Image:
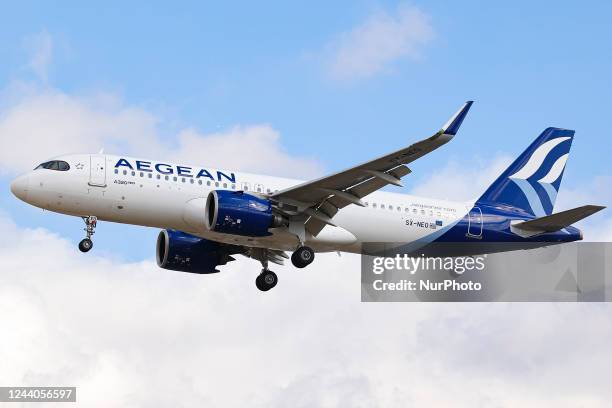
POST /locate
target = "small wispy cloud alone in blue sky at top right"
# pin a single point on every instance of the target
(382, 39)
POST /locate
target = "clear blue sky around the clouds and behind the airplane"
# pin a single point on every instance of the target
(210, 66)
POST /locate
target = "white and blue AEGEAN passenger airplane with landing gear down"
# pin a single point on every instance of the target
(208, 215)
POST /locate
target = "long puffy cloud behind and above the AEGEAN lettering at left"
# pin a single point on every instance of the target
(38, 124)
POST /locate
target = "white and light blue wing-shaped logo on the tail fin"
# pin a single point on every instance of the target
(525, 180)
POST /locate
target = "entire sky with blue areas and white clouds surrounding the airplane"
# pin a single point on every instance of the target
(296, 90)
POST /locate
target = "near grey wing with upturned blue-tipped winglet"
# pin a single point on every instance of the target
(319, 200)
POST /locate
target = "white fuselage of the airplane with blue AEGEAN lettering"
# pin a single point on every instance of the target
(175, 197)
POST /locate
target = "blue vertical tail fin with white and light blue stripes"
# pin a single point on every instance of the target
(532, 181)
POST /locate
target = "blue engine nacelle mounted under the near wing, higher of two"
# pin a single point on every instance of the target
(238, 213)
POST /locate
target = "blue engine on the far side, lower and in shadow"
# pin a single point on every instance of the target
(179, 251)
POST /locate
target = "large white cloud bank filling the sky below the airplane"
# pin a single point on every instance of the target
(131, 334)
